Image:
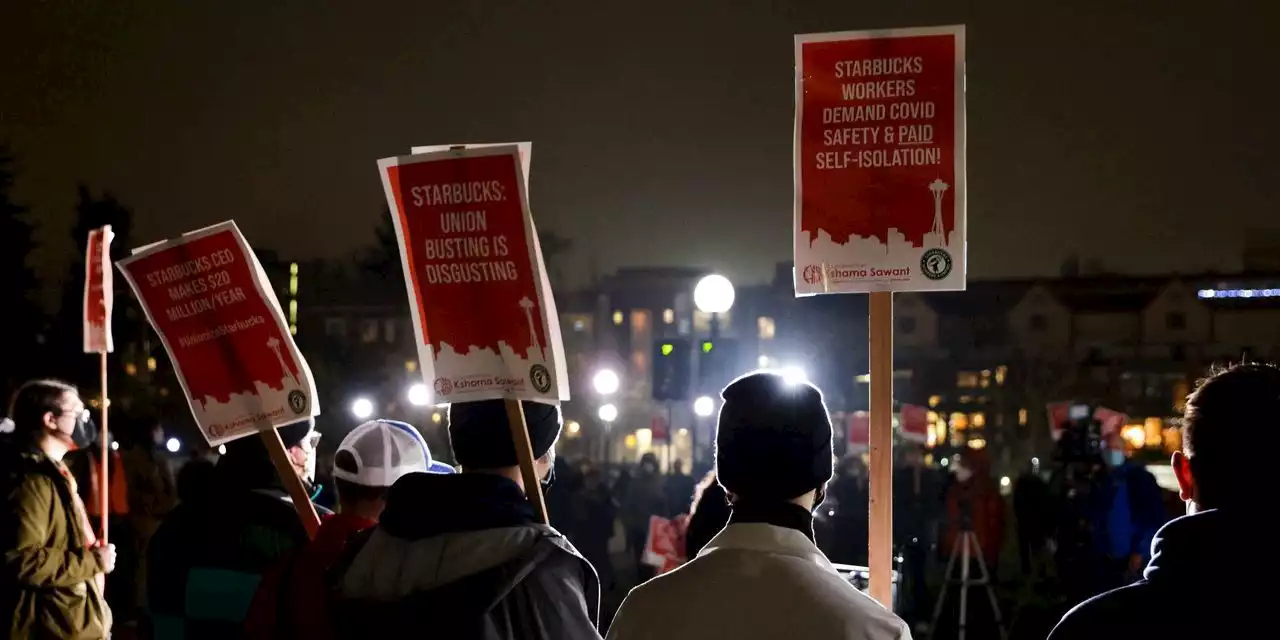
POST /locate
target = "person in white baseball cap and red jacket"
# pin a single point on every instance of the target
(369, 461)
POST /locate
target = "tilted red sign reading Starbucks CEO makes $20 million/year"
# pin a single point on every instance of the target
(208, 298)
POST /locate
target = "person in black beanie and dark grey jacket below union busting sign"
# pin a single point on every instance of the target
(465, 554)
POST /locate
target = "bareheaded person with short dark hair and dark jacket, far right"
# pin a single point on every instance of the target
(1199, 580)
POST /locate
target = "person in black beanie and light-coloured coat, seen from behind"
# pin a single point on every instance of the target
(764, 577)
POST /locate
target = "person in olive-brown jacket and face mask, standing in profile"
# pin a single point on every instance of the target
(54, 568)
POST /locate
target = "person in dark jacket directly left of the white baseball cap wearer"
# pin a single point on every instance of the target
(209, 556)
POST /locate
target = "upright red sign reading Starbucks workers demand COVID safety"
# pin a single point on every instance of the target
(880, 162)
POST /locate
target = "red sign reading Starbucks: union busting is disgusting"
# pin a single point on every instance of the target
(482, 304)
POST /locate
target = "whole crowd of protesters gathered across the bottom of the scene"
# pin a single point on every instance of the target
(418, 547)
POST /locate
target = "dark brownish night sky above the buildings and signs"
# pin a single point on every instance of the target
(662, 131)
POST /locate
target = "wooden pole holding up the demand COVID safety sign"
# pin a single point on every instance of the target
(880, 552)
